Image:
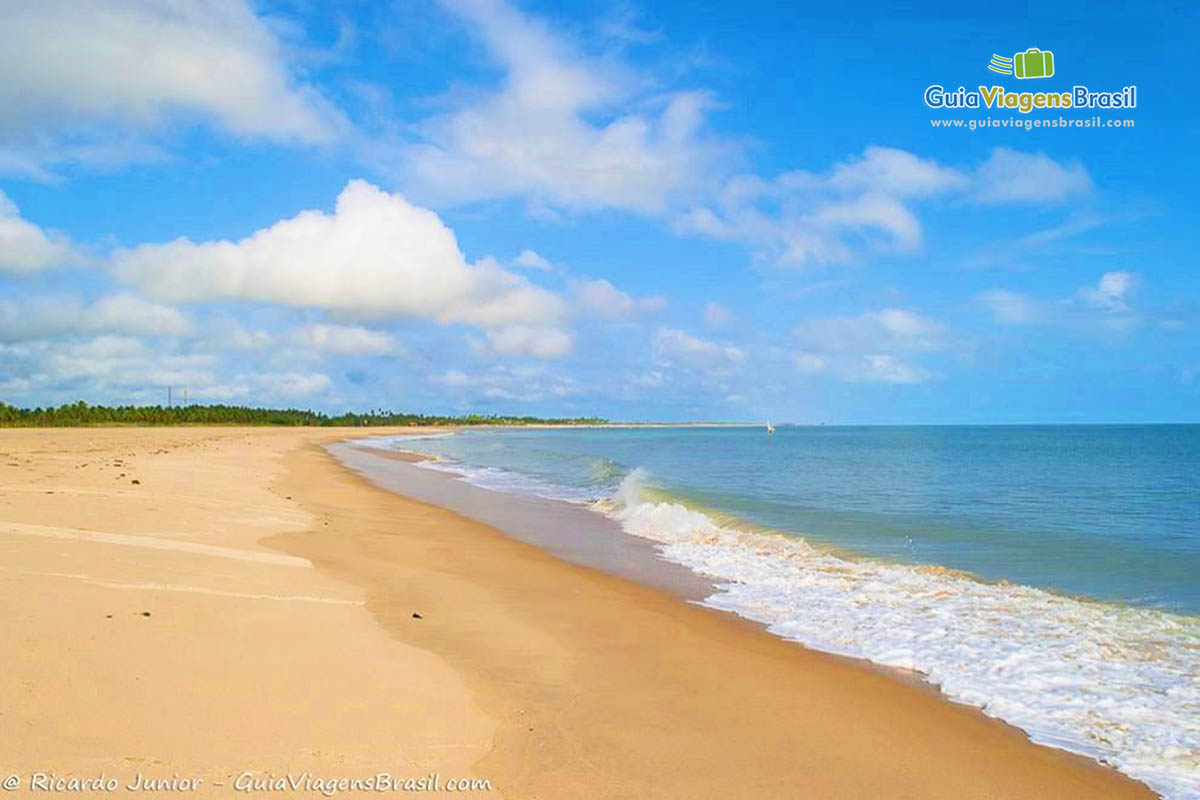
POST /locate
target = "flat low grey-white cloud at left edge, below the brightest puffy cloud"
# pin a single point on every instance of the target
(49, 317)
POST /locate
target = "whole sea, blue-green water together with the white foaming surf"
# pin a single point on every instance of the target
(1049, 575)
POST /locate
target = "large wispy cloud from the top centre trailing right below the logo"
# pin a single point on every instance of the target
(567, 130)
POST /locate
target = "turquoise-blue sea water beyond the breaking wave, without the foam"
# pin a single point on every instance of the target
(1106, 512)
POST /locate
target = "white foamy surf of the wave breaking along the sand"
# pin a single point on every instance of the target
(1114, 683)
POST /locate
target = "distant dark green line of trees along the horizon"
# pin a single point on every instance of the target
(82, 414)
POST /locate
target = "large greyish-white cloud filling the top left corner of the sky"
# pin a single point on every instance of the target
(81, 73)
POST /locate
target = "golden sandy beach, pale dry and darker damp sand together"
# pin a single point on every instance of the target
(213, 603)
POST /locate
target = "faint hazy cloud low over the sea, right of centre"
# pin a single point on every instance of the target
(874, 347)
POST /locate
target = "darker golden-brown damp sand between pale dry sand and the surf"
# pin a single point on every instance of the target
(604, 688)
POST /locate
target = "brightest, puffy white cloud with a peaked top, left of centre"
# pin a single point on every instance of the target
(376, 255)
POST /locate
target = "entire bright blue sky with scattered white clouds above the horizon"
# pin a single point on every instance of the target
(641, 212)
